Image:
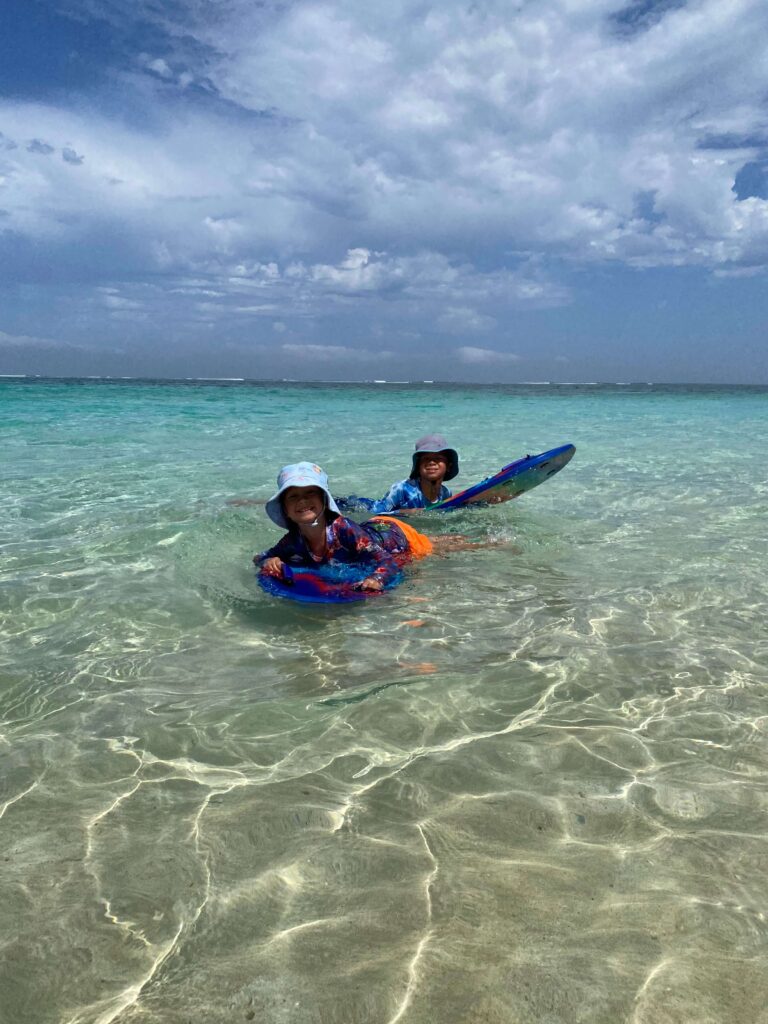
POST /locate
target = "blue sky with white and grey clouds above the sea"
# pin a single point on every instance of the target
(498, 190)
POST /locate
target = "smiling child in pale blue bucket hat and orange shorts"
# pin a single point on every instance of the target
(318, 533)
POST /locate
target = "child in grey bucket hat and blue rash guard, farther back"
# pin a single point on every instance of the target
(432, 463)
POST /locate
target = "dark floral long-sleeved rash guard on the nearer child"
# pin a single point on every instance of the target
(383, 546)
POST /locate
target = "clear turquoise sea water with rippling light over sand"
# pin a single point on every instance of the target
(530, 786)
